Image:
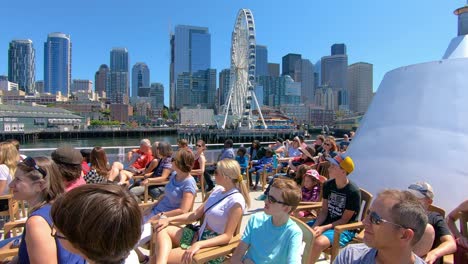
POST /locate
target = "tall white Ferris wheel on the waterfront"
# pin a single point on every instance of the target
(242, 75)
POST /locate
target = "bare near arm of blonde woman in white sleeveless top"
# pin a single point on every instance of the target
(233, 219)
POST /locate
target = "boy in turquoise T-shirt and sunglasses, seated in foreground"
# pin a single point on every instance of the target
(271, 236)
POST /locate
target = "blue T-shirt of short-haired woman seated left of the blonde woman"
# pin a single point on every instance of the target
(173, 193)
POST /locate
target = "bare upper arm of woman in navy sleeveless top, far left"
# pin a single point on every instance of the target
(40, 244)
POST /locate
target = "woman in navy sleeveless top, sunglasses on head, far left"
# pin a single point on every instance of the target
(38, 181)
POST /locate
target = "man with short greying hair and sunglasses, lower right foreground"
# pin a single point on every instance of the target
(396, 221)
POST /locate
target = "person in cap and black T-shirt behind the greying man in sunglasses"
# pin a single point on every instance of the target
(443, 243)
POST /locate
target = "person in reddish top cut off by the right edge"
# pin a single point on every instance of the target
(461, 255)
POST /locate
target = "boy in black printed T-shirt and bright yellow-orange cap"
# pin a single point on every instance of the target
(340, 205)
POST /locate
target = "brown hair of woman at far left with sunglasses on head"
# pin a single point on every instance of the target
(53, 181)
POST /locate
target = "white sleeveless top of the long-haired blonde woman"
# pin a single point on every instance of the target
(217, 216)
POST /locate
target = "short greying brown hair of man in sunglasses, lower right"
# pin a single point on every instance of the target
(407, 212)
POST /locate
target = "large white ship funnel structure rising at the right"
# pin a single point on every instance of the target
(416, 128)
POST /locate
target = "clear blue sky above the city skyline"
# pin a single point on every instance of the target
(388, 34)
